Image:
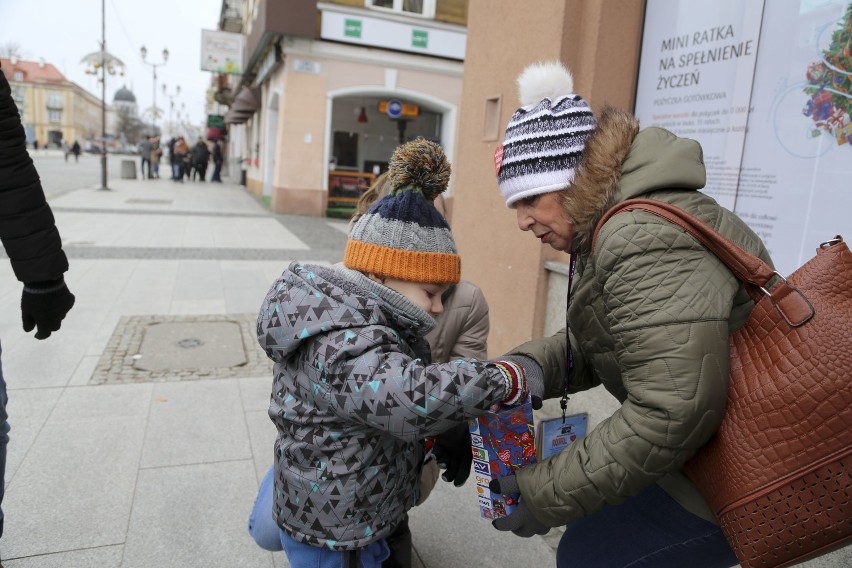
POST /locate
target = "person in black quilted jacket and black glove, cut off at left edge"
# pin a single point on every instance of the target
(32, 243)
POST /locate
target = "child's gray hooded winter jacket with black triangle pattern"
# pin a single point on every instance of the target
(352, 399)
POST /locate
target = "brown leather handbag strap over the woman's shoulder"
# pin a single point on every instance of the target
(790, 302)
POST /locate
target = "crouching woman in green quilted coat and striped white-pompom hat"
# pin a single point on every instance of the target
(650, 311)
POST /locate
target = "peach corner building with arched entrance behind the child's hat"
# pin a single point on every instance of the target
(330, 88)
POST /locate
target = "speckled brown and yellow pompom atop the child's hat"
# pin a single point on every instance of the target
(422, 164)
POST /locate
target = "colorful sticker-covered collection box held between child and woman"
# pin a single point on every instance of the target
(502, 442)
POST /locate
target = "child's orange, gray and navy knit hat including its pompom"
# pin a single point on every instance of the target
(402, 235)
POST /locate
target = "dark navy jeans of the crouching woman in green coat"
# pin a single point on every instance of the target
(650, 530)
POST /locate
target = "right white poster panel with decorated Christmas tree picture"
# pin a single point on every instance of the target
(796, 185)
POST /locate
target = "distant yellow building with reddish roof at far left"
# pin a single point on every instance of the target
(53, 109)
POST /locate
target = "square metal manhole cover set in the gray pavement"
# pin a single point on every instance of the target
(197, 345)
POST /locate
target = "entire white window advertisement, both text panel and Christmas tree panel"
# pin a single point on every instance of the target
(780, 153)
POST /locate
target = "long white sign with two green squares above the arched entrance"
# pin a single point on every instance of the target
(442, 40)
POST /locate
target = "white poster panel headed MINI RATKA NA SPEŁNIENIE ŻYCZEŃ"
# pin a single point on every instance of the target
(695, 79)
